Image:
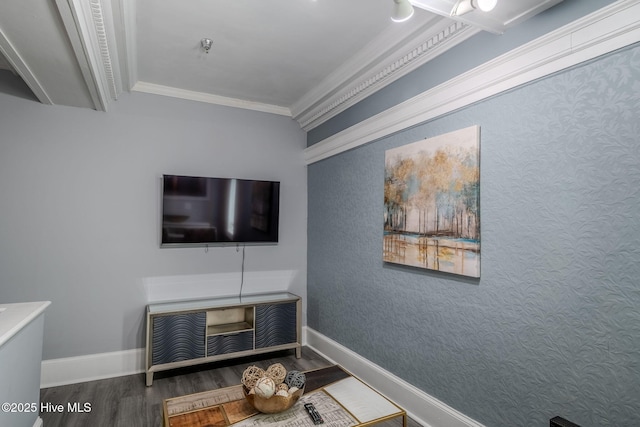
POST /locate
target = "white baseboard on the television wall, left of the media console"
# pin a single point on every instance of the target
(72, 370)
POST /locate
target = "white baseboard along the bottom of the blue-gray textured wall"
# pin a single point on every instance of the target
(421, 407)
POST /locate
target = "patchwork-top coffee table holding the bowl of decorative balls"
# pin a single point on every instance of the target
(342, 400)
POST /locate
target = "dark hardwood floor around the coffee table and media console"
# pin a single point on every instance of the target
(128, 402)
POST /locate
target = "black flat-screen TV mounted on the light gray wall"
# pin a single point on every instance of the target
(202, 211)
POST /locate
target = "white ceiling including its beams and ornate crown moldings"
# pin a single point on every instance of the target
(307, 59)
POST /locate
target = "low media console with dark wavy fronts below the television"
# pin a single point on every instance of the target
(185, 333)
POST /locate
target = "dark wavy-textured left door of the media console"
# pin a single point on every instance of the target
(178, 337)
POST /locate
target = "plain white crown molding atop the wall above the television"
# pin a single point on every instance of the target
(209, 98)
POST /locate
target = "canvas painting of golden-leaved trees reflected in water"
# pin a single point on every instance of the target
(432, 203)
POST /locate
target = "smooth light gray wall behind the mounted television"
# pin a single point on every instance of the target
(80, 197)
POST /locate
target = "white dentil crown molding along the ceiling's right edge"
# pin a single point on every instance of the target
(393, 57)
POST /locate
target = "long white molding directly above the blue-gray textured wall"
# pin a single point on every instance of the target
(610, 28)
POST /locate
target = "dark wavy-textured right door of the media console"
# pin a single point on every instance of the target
(275, 324)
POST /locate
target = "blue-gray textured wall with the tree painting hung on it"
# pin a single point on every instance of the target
(553, 325)
